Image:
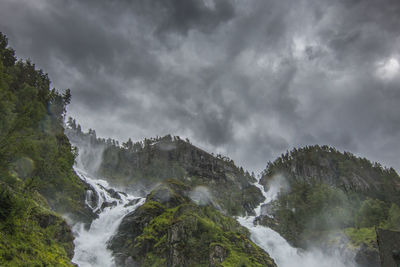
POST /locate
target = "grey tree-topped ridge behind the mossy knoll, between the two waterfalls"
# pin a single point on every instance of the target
(145, 164)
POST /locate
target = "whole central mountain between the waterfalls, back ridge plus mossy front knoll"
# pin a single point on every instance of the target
(184, 220)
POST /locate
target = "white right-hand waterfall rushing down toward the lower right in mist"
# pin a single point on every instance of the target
(280, 250)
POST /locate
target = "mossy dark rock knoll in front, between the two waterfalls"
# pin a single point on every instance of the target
(170, 230)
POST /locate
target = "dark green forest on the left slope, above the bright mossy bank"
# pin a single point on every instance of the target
(33, 146)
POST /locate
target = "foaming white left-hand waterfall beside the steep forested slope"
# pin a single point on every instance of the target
(91, 245)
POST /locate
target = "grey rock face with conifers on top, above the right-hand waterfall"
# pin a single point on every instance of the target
(323, 164)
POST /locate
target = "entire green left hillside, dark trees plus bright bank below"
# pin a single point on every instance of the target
(35, 167)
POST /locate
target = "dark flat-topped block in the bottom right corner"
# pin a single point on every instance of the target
(389, 247)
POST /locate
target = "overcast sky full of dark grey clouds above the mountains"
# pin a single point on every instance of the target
(249, 79)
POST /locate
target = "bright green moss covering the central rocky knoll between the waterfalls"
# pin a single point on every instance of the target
(202, 228)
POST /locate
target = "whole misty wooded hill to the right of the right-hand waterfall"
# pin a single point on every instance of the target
(328, 197)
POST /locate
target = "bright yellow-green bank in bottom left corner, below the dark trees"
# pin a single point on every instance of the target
(32, 235)
